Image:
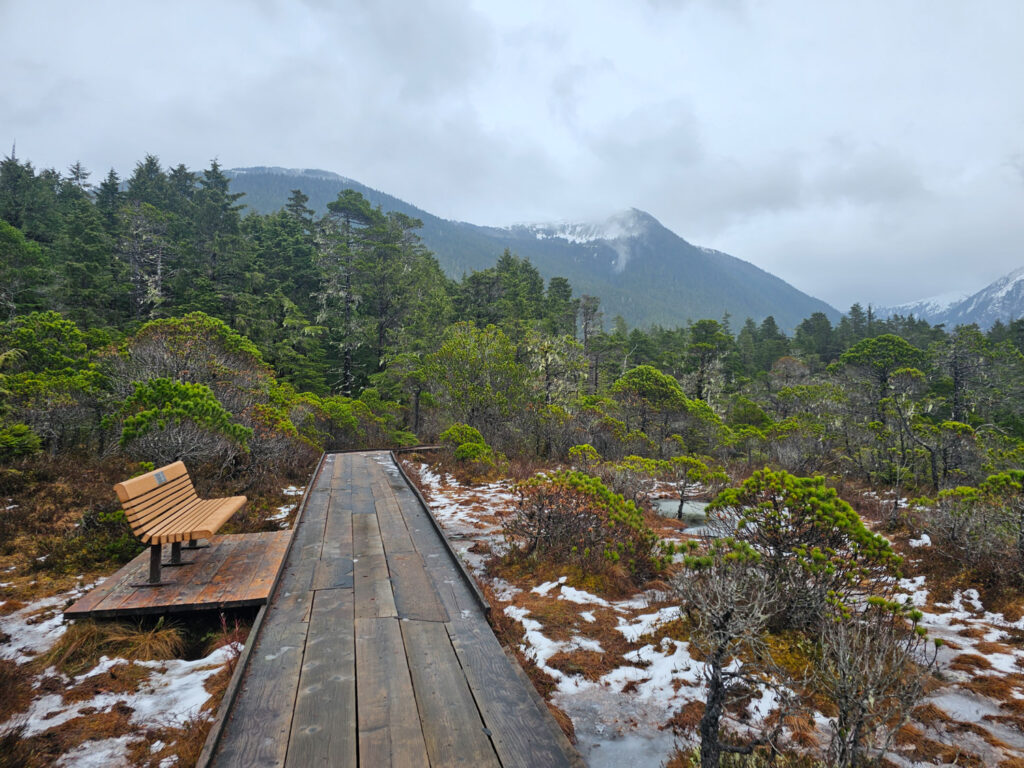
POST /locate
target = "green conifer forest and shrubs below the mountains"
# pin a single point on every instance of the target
(152, 319)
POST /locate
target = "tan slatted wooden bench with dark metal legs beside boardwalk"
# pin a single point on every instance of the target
(163, 508)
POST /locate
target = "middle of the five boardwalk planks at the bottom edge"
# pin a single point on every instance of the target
(390, 731)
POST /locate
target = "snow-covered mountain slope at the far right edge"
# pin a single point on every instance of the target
(1003, 301)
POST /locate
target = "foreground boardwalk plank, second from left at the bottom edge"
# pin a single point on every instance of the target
(324, 729)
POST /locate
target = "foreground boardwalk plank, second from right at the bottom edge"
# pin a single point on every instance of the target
(454, 734)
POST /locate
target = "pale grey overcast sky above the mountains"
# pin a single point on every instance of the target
(864, 150)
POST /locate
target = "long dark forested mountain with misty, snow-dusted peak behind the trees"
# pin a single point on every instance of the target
(639, 269)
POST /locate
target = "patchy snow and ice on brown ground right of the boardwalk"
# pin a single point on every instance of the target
(619, 714)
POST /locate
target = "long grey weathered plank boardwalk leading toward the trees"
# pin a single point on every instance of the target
(374, 650)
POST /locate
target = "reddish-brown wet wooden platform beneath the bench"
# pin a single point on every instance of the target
(234, 572)
